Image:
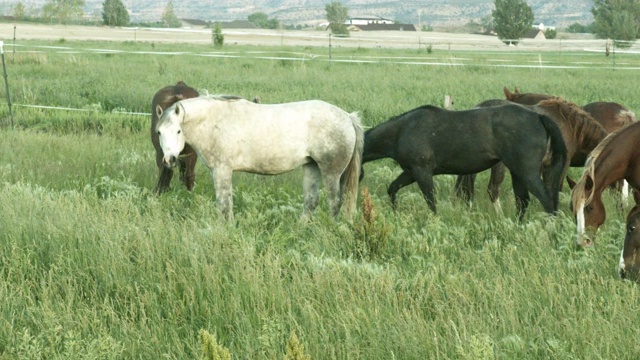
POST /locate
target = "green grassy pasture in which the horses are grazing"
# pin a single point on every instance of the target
(94, 265)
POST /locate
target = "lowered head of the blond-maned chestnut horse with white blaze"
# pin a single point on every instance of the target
(588, 209)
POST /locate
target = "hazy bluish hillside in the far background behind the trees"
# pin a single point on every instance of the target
(431, 12)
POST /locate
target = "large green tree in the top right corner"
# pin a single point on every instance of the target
(618, 20)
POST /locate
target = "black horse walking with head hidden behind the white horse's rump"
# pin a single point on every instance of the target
(428, 141)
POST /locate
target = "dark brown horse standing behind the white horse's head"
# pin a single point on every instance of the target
(164, 98)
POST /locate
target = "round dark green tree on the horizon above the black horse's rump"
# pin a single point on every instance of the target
(512, 19)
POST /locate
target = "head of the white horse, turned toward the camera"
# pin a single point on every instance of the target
(170, 133)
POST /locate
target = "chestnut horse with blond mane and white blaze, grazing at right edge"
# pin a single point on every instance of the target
(616, 157)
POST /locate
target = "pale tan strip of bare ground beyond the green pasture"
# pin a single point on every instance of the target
(313, 38)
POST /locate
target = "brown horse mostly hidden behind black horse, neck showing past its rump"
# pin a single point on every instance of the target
(580, 132)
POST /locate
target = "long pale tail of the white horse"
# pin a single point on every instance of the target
(350, 177)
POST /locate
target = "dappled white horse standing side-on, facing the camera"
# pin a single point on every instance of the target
(231, 134)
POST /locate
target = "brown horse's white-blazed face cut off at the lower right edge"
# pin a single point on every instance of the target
(629, 267)
